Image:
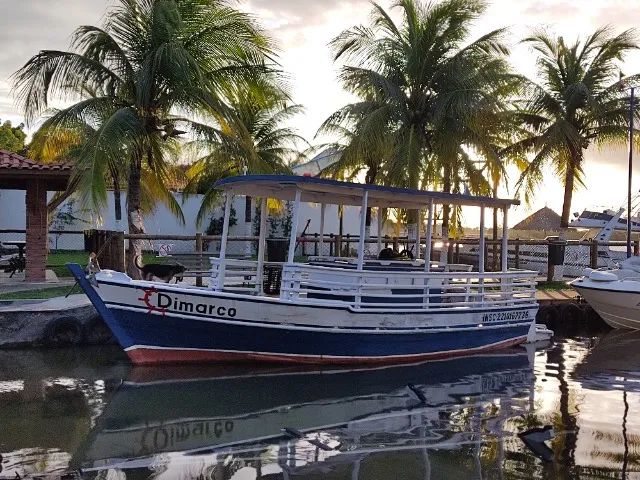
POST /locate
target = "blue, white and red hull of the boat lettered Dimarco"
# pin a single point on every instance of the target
(167, 324)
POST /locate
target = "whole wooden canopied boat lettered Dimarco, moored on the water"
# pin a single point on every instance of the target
(327, 311)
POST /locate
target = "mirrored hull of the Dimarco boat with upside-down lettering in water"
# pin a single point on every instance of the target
(185, 415)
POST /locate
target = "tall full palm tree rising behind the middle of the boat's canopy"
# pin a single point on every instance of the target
(425, 85)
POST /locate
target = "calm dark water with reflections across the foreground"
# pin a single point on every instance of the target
(65, 410)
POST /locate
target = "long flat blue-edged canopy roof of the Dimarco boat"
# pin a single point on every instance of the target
(323, 190)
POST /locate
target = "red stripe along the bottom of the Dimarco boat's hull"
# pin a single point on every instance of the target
(147, 356)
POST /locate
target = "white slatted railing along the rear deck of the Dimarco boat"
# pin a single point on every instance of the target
(373, 290)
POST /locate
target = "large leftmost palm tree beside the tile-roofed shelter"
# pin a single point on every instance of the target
(151, 61)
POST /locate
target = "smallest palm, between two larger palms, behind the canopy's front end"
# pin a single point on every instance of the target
(246, 137)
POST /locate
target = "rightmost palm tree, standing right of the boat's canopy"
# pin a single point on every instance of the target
(581, 100)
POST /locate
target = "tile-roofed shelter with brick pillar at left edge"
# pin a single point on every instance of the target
(20, 173)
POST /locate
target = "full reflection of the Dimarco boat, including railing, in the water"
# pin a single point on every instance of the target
(191, 422)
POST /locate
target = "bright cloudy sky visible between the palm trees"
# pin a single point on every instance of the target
(303, 29)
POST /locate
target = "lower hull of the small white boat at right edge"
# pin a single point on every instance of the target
(618, 307)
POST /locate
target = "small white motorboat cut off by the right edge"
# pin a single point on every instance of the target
(613, 293)
